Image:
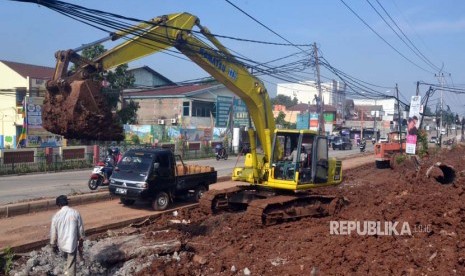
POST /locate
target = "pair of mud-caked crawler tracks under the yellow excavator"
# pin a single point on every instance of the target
(269, 208)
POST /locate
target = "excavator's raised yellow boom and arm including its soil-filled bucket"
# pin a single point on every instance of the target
(75, 107)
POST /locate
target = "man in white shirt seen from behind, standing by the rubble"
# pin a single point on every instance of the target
(67, 233)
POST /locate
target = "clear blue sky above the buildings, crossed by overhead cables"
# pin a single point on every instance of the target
(434, 31)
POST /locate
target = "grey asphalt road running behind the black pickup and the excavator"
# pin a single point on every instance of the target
(45, 185)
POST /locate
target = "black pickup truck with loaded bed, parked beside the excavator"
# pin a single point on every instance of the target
(159, 176)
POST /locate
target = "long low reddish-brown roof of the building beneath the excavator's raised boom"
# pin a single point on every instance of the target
(170, 91)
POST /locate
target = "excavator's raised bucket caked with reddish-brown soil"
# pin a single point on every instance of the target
(78, 110)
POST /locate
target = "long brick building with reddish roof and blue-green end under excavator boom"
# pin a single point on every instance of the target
(190, 106)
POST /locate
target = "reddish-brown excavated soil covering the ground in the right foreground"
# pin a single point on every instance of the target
(225, 244)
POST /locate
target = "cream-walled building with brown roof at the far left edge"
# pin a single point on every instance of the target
(18, 80)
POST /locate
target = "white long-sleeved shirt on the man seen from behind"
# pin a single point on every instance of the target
(67, 228)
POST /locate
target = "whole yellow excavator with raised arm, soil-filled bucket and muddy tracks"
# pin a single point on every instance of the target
(277, 181)
